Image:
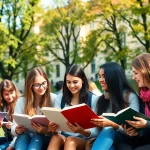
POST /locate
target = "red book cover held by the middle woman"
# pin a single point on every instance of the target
(82, 114)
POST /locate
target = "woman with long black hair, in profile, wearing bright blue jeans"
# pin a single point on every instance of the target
(118, 94)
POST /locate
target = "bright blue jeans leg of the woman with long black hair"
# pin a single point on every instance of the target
(105, 139)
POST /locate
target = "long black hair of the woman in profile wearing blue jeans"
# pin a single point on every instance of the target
(116, 82)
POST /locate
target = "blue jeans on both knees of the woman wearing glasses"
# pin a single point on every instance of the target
(27, 142)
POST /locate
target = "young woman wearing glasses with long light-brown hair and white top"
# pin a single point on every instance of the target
(37, 95)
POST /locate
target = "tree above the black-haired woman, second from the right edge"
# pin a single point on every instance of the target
(109, 37)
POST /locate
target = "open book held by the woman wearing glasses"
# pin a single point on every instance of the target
(25, 120)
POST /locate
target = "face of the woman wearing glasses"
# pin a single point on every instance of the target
(39, 85)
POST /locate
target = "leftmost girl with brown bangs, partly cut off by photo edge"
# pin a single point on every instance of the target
(8, 97)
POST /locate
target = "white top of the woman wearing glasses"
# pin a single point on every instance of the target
(19, 109)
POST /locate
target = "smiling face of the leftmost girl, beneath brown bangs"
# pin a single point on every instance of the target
(9, 96)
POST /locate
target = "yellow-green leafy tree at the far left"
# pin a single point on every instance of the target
(18, 51)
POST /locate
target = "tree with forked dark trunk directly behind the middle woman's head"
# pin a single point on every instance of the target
(63, 28)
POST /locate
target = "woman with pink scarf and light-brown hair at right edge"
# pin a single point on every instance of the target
(141, 137)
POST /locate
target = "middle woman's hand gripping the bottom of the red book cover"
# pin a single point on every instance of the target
(78, 129)
